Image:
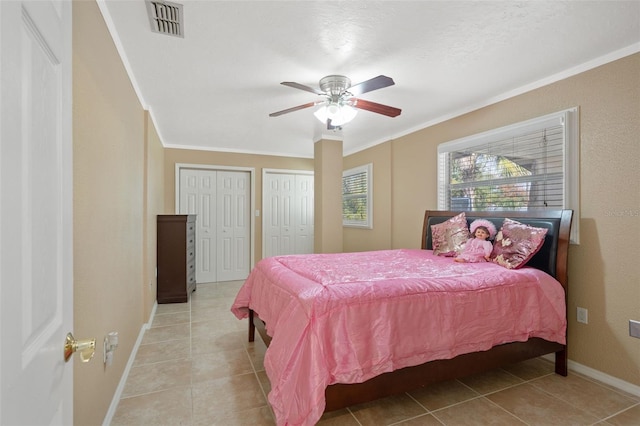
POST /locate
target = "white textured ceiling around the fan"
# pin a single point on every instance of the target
(214, 88)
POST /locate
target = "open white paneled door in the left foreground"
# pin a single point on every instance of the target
(36, 265)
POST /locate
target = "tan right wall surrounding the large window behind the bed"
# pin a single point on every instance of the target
(604, 272)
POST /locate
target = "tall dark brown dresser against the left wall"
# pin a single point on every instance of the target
(176, 257)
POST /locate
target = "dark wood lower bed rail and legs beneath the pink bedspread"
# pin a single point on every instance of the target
(344, 395)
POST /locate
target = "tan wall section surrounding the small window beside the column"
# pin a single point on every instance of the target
(357, 239)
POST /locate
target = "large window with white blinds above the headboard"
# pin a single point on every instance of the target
(532, 164)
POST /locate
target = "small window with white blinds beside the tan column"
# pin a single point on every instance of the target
(357, 197)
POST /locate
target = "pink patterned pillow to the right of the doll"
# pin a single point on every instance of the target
(516, 243)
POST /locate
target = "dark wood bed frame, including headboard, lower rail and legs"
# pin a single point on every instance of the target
(552, 258)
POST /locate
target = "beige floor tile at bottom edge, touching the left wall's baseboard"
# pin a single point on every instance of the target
(170, 407)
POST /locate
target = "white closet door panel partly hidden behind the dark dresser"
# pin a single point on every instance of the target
(198, 196)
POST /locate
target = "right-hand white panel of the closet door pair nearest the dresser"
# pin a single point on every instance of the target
(233, 225)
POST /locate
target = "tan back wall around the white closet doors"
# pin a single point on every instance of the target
(214, 158)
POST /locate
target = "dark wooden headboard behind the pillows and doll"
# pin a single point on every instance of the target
(552, 257)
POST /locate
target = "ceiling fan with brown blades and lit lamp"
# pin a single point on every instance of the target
(339, 103)
